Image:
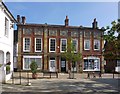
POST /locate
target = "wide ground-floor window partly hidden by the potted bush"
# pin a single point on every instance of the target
(28, 59)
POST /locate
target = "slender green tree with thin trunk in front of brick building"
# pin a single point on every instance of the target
(71, 55)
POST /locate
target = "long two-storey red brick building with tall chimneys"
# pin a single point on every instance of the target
(44, 44)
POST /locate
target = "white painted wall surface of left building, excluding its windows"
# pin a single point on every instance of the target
(6, 42)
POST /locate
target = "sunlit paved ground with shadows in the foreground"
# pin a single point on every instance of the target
(63, 85)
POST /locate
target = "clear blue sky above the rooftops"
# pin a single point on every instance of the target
(79, 13)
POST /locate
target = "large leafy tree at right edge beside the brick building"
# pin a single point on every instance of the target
(112, 38)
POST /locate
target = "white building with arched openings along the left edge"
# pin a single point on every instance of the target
(6, 42)
